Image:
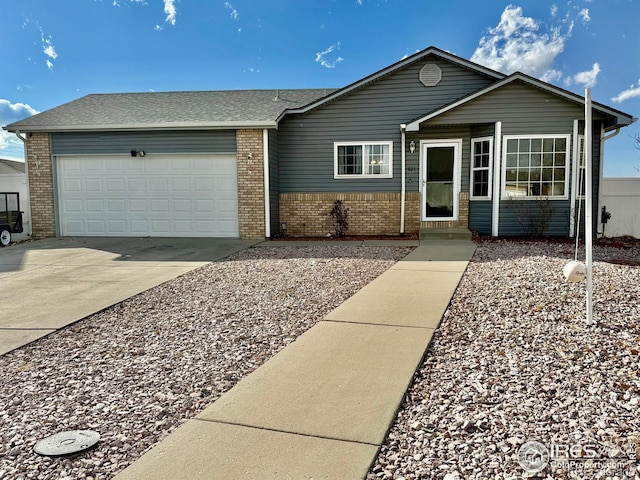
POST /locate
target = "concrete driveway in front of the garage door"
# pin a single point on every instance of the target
(48, 284)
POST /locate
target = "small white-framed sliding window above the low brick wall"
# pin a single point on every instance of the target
(366, 159)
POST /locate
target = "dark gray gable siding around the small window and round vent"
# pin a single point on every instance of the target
(374, 112)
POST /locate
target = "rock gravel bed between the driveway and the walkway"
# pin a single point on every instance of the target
(136, 371)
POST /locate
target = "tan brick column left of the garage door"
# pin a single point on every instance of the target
(38, 151)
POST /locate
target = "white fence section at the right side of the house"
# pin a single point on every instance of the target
(621, 196)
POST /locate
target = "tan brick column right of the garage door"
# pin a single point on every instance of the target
(250, 183)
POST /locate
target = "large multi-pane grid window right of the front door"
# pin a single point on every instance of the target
(536, 166)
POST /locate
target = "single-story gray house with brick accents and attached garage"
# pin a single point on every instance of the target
(432, 141)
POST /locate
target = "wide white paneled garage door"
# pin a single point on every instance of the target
(155, 195)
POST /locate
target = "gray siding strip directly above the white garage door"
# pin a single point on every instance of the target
(106, 143)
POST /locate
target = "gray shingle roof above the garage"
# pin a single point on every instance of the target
(154, 110)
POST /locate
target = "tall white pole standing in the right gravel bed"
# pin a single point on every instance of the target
(588, 214)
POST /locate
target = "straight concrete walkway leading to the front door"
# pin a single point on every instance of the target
(321, 408)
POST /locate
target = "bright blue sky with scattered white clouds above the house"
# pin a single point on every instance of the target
(57, 51)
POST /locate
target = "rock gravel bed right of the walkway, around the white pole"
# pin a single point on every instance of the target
(513, 361)
